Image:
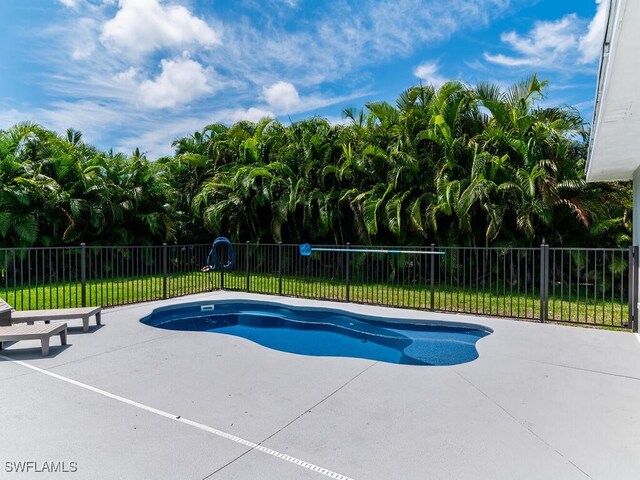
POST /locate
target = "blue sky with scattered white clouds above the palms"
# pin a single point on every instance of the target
(140, 73)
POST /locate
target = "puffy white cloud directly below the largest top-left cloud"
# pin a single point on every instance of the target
(181, 81)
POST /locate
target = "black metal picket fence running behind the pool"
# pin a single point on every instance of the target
(591, 286)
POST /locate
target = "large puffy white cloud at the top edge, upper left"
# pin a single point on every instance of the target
(142, 26)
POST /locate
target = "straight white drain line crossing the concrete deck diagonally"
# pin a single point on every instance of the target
(177, 418)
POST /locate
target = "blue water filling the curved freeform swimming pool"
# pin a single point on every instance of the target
(321, 332)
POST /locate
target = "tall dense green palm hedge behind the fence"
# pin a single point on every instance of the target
(459, 165)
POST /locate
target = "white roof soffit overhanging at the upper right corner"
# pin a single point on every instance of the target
(614, 152)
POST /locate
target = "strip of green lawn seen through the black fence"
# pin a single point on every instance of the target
(132, 290)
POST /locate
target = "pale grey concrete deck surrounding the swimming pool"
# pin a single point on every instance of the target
(541, 402)
